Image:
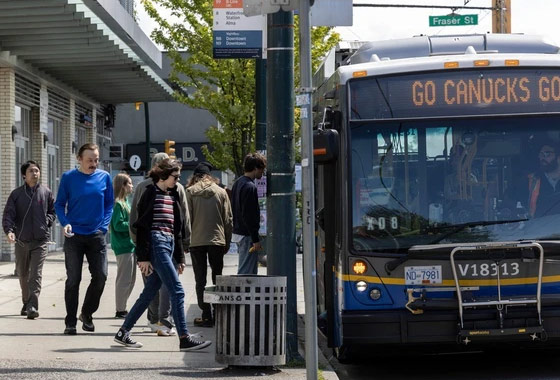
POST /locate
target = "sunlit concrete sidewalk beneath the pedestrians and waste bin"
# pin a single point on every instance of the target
(37, 348)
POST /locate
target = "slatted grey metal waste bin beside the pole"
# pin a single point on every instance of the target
(250, 319)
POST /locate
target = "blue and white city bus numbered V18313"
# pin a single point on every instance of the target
(437, 212)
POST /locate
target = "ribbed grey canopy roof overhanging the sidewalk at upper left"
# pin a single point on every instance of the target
(93, 47)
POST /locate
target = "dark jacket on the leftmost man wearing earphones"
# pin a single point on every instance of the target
(29, 213)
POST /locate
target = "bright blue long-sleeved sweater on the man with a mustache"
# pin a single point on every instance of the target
(85, 201)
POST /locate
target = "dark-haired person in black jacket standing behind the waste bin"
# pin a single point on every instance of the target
(246, 213)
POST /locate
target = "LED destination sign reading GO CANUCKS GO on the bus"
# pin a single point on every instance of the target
(456, 93)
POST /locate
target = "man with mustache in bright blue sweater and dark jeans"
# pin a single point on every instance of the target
(84, 206)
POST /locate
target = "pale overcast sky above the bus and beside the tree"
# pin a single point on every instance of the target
(373, 24)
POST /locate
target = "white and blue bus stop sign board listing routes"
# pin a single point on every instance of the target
(236, 35)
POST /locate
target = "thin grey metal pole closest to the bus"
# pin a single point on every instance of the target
(309, 271)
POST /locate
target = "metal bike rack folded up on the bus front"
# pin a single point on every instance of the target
(500, 302)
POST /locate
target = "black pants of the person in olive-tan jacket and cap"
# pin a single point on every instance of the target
(201, 256)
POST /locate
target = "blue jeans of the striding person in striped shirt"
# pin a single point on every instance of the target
(161, 254)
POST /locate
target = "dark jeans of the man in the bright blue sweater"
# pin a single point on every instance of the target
(93, 246)
